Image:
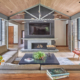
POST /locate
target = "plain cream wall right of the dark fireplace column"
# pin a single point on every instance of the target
(60, 32)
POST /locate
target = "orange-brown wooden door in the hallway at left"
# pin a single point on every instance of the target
(10, 34)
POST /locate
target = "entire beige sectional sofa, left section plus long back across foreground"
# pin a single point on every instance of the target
(10, 55)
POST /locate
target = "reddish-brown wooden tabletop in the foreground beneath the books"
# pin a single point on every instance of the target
(36, 76)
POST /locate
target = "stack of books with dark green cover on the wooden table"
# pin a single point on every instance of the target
(57, 73)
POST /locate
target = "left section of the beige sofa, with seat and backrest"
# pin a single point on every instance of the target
(8, 54)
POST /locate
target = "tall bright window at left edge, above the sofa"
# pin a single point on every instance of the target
(2, 32)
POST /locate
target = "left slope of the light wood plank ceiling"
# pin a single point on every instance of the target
(15, 6)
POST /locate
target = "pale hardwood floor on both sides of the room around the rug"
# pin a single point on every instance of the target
(63, 52)
